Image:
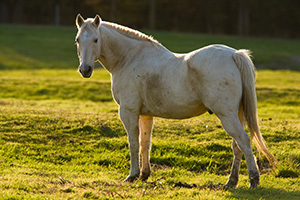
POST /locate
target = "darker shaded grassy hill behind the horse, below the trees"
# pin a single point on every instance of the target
(37, 47)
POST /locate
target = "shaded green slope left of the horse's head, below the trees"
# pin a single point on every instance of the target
(33, 47)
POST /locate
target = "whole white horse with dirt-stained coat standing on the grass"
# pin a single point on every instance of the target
(150, 81)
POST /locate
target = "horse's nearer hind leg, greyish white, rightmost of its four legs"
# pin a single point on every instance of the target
(233, 127)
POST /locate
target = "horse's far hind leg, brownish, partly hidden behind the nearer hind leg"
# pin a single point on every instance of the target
(235, 168)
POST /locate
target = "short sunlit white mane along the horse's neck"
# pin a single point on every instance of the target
(134, 34)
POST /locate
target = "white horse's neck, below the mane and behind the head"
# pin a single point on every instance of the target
(117, 49)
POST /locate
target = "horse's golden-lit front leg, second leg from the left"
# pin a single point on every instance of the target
(145, 124)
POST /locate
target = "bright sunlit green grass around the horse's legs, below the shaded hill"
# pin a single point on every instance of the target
(75, 147)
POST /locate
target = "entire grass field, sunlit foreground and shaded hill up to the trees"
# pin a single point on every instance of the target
(61, 137)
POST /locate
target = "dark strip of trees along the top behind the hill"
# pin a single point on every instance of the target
(275, 18)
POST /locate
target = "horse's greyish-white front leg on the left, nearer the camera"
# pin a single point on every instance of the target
(130, 121)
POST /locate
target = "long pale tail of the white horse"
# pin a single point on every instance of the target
(249, 100)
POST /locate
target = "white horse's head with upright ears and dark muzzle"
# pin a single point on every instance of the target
(88, 43)
